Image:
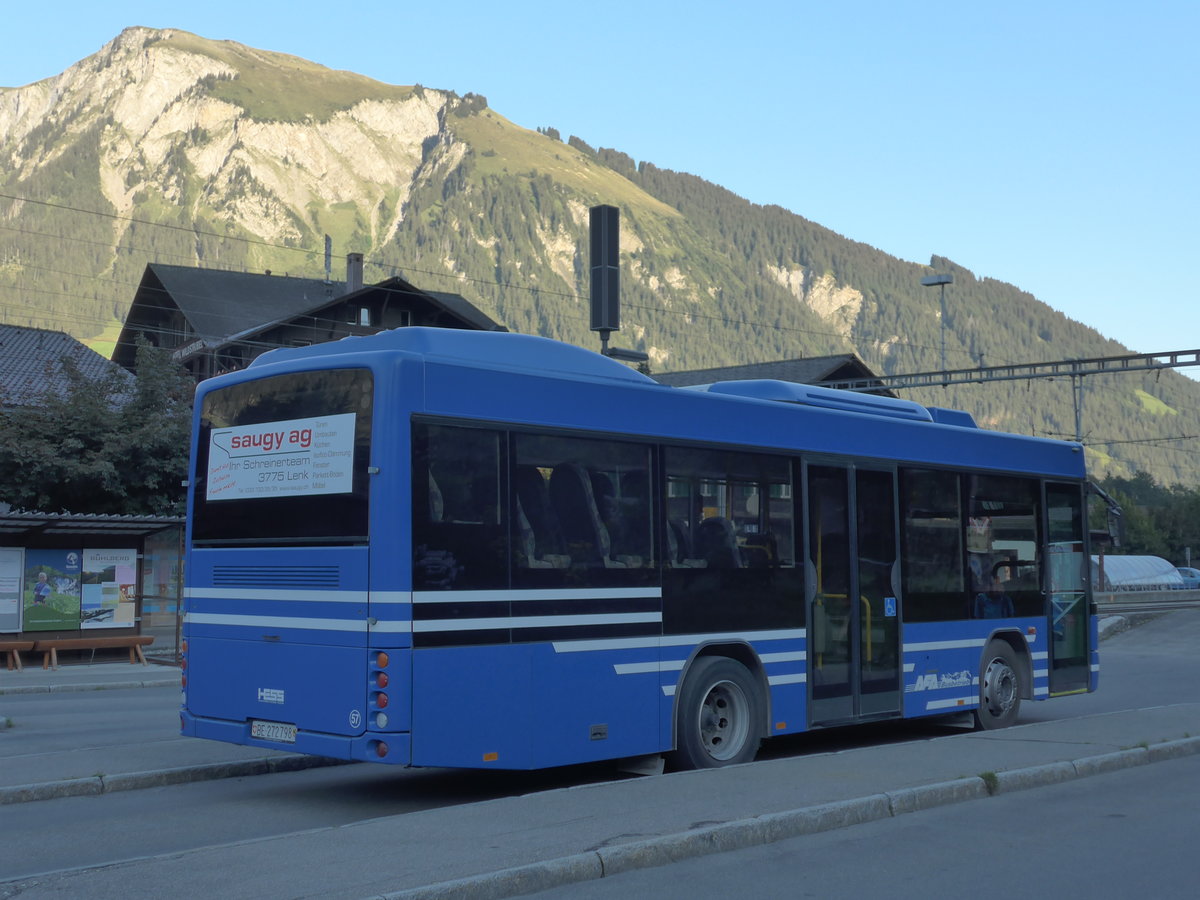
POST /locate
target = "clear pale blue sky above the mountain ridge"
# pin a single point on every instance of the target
(1051, 145)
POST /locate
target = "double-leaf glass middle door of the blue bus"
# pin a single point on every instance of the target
(854, 616)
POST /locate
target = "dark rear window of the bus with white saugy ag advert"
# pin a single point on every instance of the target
(284, 460)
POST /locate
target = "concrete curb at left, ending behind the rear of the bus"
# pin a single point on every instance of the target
(137, 781)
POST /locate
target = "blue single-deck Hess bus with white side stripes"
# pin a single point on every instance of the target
(441, 548)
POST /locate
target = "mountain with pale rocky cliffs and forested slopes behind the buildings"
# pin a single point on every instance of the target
(170, 148)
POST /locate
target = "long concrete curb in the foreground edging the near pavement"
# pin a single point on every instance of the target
(781, 826)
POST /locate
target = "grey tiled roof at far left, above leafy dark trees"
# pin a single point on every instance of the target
(31, 364)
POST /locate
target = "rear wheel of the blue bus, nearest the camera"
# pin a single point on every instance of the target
(719, 721)
